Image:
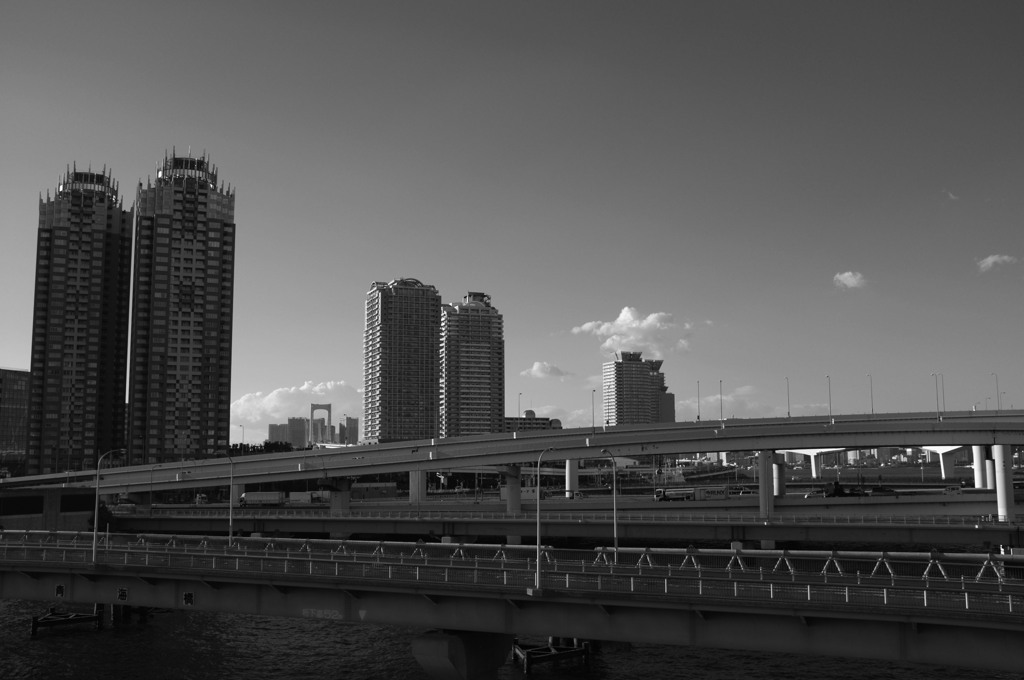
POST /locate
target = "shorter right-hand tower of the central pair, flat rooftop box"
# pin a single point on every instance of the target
(473, 381)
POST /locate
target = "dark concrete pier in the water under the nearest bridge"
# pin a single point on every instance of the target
(461, 655)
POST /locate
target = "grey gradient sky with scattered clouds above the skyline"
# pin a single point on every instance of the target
(800, 206)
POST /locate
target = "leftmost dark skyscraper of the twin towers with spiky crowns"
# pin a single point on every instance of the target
(80, 324)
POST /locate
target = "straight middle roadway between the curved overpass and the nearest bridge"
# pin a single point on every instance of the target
(852, 525)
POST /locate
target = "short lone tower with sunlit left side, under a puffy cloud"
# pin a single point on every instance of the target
(634, 392)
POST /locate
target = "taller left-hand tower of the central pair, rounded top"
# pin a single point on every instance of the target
(401, 362)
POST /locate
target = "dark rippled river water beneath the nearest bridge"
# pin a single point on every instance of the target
(183, 646)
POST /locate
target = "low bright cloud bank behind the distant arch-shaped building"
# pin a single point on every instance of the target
(257, 411)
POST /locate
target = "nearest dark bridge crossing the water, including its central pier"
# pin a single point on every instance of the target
(962, 611)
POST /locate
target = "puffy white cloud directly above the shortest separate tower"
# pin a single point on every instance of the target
(655, 334)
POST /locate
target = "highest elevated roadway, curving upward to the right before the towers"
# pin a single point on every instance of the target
(951, 430)
